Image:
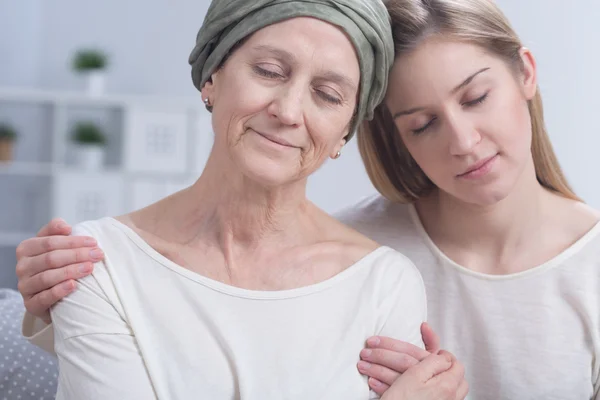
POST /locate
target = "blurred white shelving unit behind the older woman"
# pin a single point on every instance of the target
(156, 145)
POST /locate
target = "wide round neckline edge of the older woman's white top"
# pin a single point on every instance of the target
(236, 291)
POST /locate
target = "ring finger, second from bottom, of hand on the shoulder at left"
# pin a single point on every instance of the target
(45, 280)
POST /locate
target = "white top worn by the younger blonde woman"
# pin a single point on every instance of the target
(529, 335)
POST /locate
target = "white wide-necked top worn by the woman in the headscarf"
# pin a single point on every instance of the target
(143, 327)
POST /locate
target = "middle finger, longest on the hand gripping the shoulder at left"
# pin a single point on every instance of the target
(30, 266)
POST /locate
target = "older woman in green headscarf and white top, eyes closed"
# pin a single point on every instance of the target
(238, 286)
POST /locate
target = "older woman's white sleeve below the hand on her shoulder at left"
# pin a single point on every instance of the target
(97, 351)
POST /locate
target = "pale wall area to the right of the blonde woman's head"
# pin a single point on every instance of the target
(565, 37)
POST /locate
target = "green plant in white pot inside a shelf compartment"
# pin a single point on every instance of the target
(89, 141)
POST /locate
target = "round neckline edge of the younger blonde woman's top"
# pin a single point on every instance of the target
(551, 263)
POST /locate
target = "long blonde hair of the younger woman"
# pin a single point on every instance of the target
(391, 168)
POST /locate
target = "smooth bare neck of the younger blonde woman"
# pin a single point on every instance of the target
(489, 235)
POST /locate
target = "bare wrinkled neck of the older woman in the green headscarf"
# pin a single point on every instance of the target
(227, 209)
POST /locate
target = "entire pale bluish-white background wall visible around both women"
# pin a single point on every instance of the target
(149, 42)
